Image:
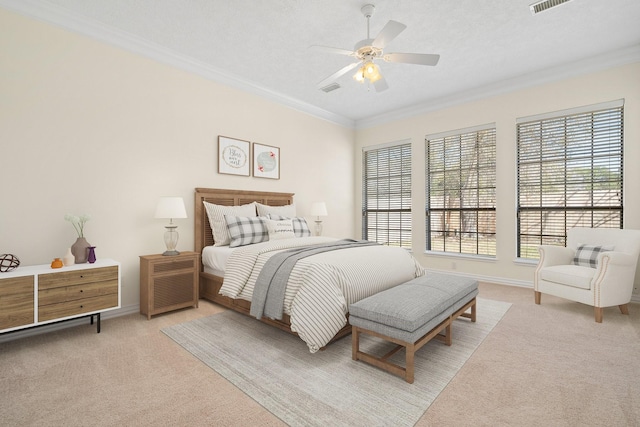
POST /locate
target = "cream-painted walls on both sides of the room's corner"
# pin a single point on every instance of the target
(89, 128)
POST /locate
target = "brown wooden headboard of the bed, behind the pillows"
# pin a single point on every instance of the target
(203, 234)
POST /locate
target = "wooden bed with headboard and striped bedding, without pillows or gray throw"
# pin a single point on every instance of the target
(310, 274)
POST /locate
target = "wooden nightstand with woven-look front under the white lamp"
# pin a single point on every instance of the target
(168, 282)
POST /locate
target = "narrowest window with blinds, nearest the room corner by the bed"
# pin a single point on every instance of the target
(386, 201)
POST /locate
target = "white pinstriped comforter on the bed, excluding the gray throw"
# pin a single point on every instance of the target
(322, 286)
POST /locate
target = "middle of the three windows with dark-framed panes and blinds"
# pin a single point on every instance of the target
(461, 191)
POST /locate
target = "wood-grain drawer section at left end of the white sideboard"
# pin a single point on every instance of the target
(16, 302)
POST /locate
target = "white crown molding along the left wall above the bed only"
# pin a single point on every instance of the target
(58, 16)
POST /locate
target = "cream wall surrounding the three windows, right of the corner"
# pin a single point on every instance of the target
(503, 110)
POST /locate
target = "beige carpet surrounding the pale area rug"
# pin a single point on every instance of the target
(542, 365)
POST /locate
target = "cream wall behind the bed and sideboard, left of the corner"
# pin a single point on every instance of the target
(89, 128)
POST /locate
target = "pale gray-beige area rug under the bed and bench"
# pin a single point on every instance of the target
(328, 388)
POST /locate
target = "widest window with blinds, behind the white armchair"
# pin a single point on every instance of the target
(569, 174)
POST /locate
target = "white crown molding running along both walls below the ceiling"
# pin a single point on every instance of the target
(53, 14)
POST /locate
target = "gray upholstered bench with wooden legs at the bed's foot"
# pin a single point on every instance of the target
(410, 315)
